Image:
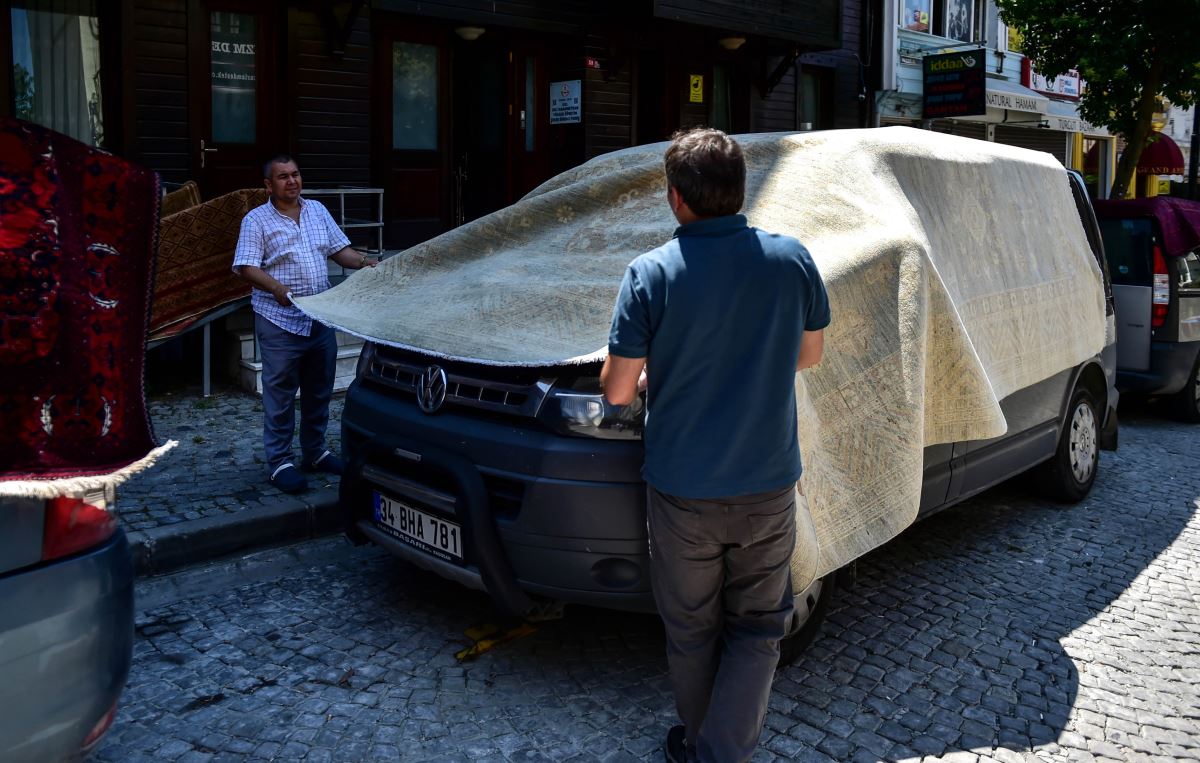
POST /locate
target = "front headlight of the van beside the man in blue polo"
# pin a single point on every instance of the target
(578, 408)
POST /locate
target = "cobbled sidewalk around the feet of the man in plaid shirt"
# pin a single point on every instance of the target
(218, 467)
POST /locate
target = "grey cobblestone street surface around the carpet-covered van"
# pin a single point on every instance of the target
(1005, 629)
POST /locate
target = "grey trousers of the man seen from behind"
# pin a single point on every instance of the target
(722, 576)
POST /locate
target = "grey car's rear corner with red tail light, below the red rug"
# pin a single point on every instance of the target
(67, 624)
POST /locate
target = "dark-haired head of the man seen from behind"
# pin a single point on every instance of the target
(706, 167)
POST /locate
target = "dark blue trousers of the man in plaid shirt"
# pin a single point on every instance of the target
(295, 363)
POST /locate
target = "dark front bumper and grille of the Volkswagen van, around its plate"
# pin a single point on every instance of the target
(542, 514)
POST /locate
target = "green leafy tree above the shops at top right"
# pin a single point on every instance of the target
(1130, 52)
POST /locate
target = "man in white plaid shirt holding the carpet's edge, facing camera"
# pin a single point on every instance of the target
(283, 253)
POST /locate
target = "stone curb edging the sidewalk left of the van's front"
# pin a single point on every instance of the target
(287, 520)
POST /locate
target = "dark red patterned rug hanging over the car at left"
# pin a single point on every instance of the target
(77, 242)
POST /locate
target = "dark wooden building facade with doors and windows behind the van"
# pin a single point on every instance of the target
(454, 107)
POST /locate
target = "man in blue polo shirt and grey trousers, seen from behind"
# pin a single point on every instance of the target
(721, 319)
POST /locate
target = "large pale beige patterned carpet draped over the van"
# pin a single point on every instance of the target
(958, 273)
